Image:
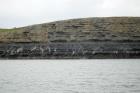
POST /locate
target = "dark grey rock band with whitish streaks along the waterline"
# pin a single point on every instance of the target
(73, 50)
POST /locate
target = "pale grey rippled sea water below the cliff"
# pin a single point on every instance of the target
(70, 76)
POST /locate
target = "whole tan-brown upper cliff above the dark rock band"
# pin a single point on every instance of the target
(86, 29)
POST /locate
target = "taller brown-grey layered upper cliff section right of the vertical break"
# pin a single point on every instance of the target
(94, 29)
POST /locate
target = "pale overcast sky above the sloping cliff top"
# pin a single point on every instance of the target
(19, 13)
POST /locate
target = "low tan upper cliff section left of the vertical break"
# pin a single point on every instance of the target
(23, 35)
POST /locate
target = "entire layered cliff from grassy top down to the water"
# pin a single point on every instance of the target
(100, 37)
